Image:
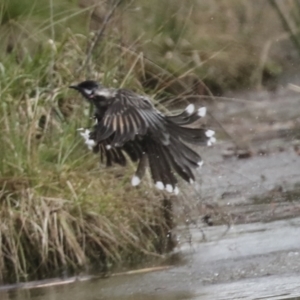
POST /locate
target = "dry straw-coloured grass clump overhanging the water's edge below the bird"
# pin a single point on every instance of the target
(94, 225)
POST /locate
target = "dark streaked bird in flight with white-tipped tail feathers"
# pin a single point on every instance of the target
(127, 122)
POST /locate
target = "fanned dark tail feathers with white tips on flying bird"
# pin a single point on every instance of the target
(172, 156)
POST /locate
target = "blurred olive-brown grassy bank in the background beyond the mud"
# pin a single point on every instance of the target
(203, 48)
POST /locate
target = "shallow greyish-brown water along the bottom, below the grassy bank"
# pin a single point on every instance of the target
(251, 261)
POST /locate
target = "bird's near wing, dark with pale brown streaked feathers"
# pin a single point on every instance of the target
(129, 115)
